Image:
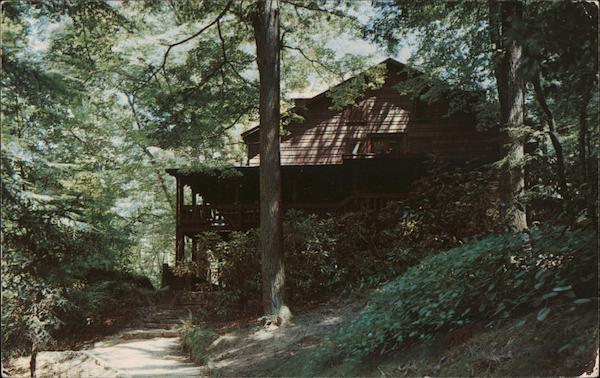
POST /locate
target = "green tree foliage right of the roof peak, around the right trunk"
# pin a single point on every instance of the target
(457, 44)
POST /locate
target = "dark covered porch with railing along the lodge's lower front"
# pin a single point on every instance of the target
(228, 200)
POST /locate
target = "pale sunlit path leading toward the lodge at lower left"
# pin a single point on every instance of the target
(150, 348)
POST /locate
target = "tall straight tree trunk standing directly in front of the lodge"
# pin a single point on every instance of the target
(266, 33)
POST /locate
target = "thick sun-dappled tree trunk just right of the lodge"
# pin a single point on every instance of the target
(511, 95)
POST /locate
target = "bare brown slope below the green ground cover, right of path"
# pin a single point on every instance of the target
(564, 344)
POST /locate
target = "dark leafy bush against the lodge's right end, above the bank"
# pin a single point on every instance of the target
(448, 206)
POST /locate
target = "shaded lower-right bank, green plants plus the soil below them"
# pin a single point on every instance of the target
(487, 288)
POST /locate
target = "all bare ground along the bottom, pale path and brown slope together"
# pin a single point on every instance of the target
(565, 344)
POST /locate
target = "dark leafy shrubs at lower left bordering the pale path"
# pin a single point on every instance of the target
(41, 312)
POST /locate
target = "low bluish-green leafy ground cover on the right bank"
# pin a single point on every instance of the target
(483, 280)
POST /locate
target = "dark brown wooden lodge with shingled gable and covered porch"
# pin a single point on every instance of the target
(356, 158)
